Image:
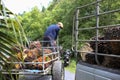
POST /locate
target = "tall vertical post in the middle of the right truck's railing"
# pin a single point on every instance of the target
(97, 30)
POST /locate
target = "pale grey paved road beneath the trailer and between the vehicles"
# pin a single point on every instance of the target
(68, 76)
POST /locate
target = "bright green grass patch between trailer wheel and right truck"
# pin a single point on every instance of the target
(72, 66)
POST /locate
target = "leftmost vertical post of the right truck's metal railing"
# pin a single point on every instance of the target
(76, 31)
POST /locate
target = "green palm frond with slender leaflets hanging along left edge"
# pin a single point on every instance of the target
(11, 34)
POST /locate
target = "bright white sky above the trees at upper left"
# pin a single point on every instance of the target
(19, 6)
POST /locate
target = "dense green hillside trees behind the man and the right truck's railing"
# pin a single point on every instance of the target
(35, 22)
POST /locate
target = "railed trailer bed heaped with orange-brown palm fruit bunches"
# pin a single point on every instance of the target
(35, 59)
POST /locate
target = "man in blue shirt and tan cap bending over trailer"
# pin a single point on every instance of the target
(51, 34)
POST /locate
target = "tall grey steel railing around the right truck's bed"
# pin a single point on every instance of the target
(97, 16)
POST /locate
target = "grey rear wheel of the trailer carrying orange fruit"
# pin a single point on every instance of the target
(58, 71)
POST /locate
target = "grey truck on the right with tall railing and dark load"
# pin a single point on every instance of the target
(96, 41)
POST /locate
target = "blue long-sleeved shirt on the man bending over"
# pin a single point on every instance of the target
(52, 31)
